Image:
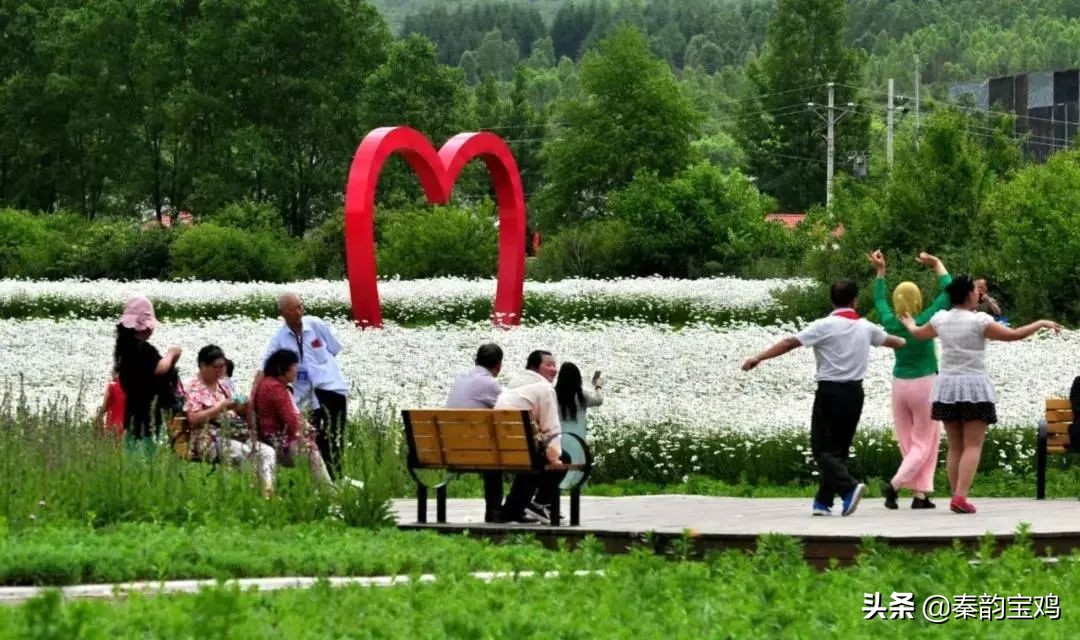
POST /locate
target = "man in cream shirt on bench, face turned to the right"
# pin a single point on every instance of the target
(533, 390)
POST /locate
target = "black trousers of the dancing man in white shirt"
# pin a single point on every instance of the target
(838, 407)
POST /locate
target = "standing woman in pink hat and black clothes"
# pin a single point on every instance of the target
(142, 369)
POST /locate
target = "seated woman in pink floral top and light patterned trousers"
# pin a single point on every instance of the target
(209, 404)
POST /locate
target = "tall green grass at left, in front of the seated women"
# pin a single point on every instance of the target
(55, 469)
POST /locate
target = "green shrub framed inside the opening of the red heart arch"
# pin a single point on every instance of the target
(433, 242)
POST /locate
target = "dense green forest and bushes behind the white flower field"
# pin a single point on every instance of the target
(653, 135)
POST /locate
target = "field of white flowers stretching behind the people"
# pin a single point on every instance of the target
(688, 377)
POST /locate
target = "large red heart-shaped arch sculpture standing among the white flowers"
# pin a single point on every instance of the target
(438, 172)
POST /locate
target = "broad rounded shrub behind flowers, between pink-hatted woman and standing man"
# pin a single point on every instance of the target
(209, 252)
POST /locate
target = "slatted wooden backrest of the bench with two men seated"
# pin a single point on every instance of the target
(471, 440)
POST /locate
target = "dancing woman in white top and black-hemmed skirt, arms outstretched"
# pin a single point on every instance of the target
(963, 397)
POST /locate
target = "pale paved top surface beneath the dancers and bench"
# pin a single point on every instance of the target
(755, 516)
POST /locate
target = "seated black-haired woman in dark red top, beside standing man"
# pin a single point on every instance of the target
(279, 420)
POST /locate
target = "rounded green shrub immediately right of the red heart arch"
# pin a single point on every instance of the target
(598, 249)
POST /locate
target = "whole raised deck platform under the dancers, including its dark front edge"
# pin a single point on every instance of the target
(737, 523)
